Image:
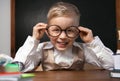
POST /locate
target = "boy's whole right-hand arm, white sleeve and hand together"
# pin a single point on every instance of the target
(95, 51)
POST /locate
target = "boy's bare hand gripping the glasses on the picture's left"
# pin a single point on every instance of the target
(39, 30)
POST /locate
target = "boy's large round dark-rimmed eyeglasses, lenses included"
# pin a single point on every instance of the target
(55, 30)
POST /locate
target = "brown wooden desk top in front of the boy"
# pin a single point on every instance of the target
(87, 75)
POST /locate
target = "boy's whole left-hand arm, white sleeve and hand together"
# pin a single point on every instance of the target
(30, 54)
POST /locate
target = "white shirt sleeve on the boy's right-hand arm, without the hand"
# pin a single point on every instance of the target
(97, 54)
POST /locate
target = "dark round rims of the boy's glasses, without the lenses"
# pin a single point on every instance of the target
(65, 30)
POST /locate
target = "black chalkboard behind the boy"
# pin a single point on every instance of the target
(99, 15)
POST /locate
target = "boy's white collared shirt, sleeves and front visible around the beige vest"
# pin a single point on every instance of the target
(95, 52)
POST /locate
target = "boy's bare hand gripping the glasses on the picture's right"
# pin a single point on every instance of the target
(86, 34)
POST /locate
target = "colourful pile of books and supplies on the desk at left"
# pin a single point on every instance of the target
(10, 72)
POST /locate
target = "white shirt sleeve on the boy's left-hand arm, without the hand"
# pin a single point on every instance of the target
(28, 54)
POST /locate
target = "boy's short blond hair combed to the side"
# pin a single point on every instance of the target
(63, 9)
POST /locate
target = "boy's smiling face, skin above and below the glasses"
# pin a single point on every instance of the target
(63, 42)
